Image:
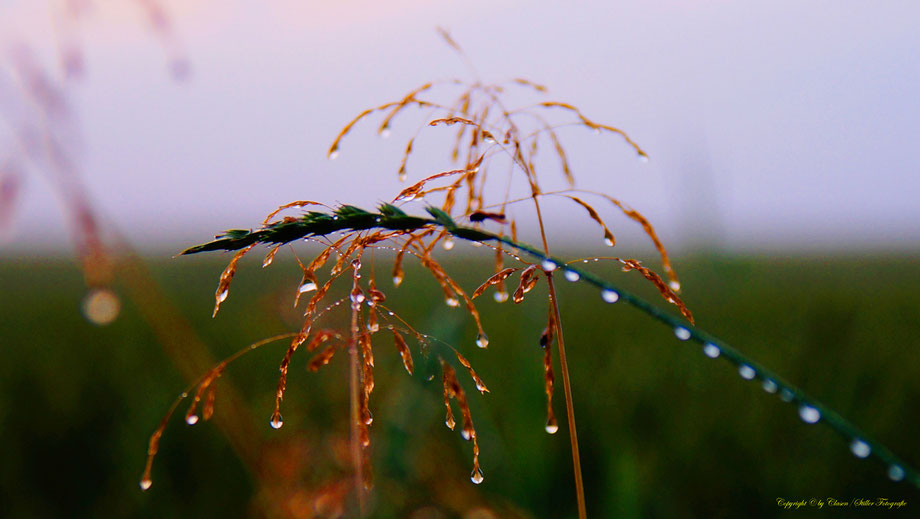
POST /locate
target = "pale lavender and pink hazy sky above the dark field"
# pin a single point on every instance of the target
(769, 124)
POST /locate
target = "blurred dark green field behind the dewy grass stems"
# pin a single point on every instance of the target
(665, 432)
